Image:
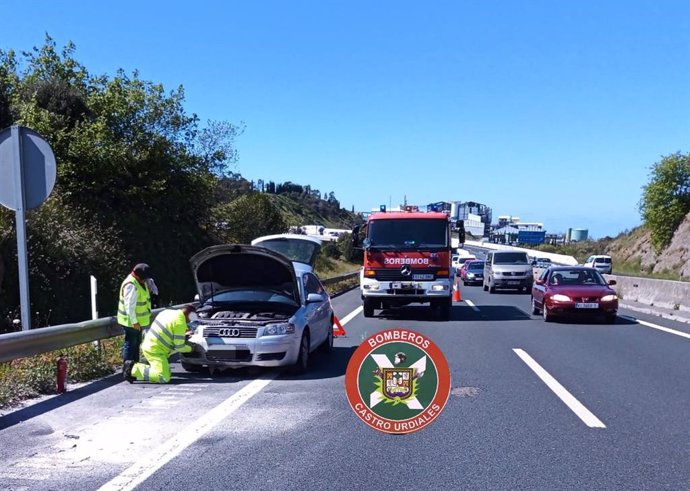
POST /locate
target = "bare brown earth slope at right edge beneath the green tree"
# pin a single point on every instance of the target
(634, 250)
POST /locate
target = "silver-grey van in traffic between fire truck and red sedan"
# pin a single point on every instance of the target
(507, 269)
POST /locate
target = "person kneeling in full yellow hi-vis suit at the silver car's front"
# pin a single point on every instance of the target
(166, 336)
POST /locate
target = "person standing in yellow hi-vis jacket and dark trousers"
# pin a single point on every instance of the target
(134, 310)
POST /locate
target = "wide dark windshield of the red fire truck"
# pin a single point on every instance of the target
(408, 234)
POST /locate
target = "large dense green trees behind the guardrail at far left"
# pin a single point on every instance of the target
(137, 179)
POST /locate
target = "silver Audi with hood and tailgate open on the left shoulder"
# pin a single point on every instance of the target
(259, 307)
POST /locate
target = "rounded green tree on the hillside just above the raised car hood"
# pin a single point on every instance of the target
(247, 218)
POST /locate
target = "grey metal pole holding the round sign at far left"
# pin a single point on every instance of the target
(22, 256)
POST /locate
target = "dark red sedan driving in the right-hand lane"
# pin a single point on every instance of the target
(575, 290)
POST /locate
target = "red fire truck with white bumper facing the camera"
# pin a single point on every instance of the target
(406, 260)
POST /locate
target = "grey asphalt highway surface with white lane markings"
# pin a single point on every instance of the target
(565, 405)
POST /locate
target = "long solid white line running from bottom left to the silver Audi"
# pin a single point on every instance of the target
(144, 468)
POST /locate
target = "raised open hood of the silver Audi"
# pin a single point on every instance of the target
(242, 267)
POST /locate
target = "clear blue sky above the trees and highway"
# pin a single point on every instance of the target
(552, 111)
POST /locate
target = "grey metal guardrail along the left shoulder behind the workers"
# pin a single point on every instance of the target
(45, 339)
